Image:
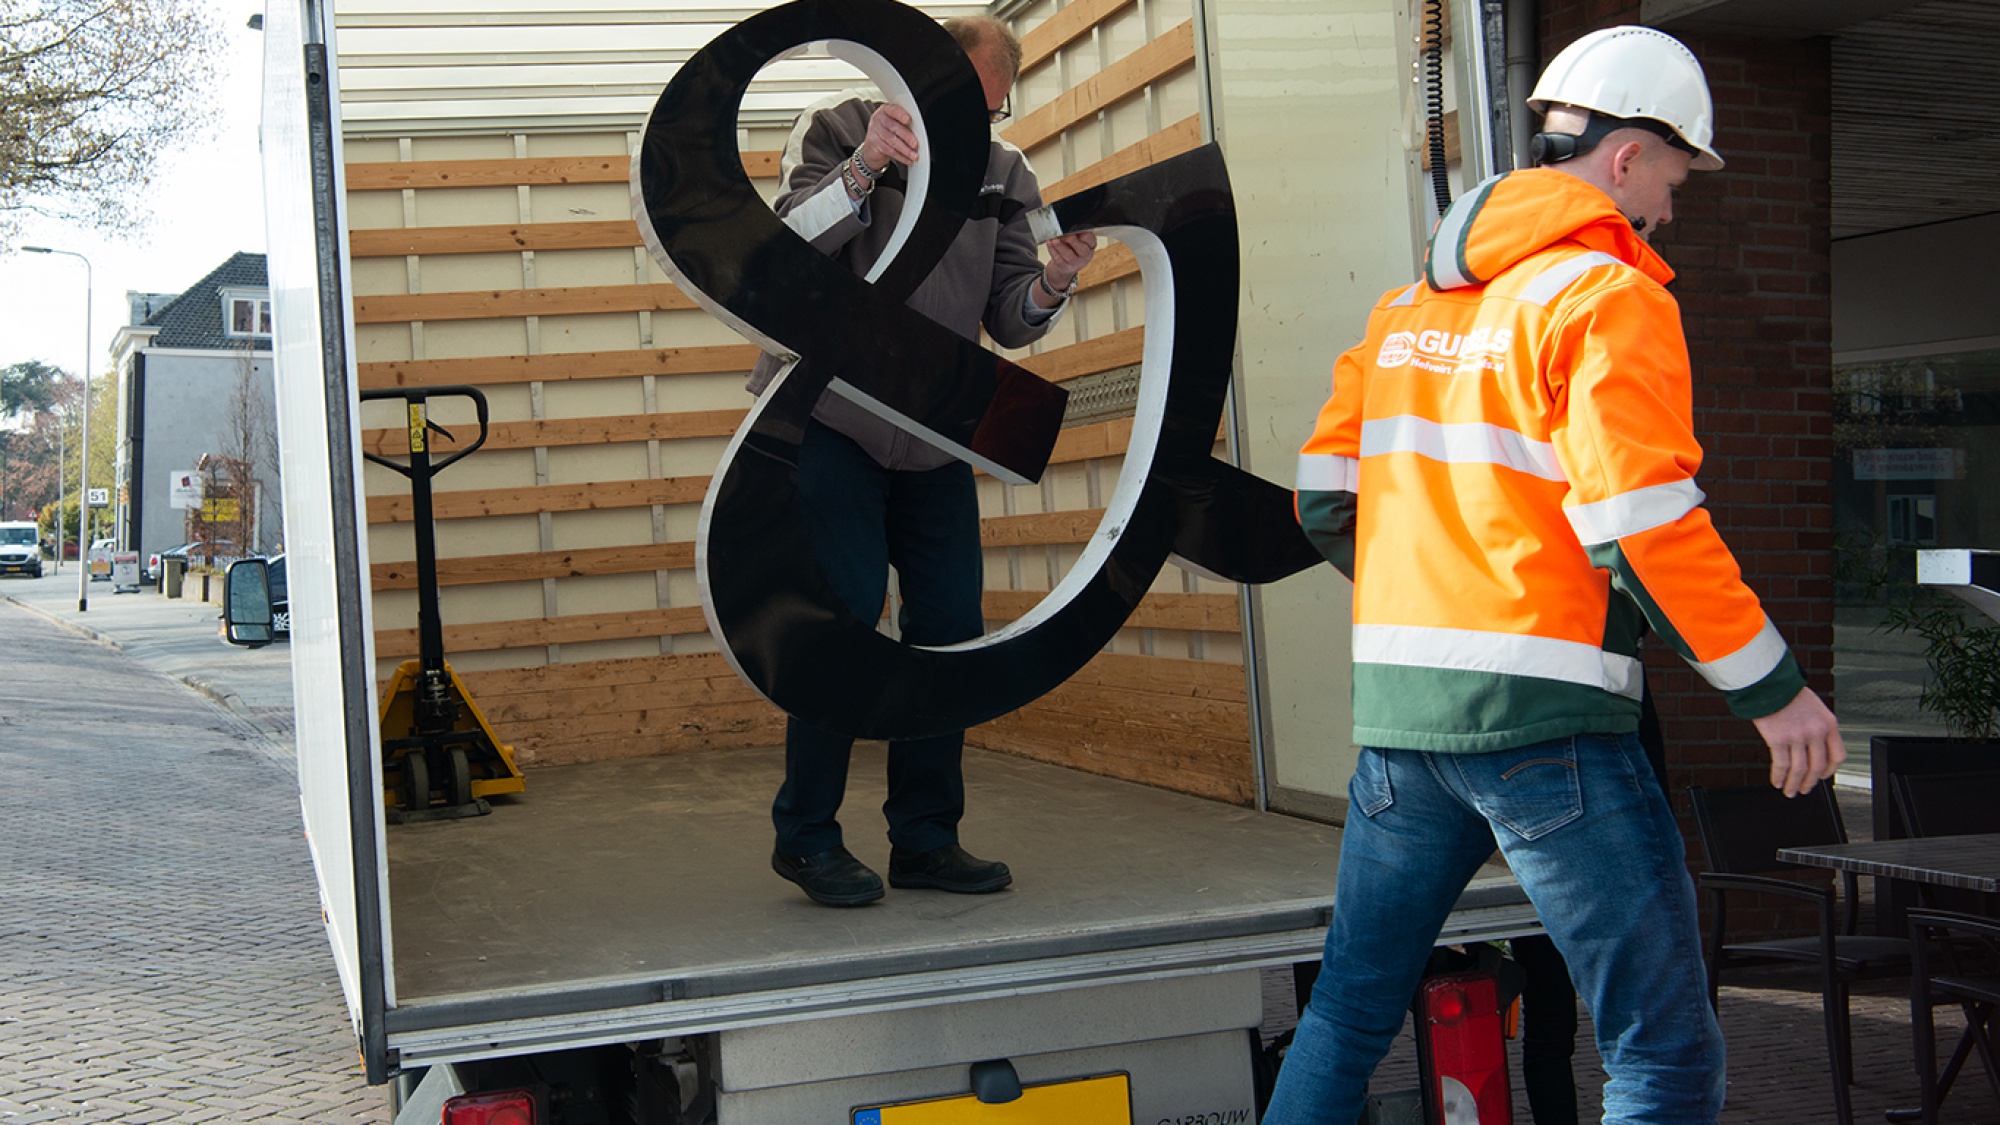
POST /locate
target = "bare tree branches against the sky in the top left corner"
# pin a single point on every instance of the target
(93, 93)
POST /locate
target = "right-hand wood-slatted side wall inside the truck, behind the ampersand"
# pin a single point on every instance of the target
(1167, 704)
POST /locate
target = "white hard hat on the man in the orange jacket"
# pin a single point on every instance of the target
(1639, 75)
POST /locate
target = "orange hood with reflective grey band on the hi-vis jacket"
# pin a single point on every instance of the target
(1517, 215)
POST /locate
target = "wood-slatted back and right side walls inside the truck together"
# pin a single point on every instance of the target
(567, 541)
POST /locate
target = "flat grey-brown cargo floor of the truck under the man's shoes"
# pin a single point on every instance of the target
(661, 868)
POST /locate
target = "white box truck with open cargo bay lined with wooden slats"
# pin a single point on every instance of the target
(449, 205)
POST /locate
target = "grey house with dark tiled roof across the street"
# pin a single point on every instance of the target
(195, 397)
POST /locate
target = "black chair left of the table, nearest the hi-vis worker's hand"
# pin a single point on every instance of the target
(1741, 834)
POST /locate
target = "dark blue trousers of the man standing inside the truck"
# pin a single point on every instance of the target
(861, 521)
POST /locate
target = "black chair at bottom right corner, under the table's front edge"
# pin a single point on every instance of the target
(1957, 968)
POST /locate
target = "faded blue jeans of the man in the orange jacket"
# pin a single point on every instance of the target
(1593, 842)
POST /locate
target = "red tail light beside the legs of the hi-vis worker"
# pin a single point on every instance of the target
(1461, 1052)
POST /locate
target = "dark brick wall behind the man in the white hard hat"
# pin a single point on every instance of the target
(1751, 251)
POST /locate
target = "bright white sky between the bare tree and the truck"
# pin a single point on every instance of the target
(209, 205)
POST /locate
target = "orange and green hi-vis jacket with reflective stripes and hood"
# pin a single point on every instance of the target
(1507, 471)
